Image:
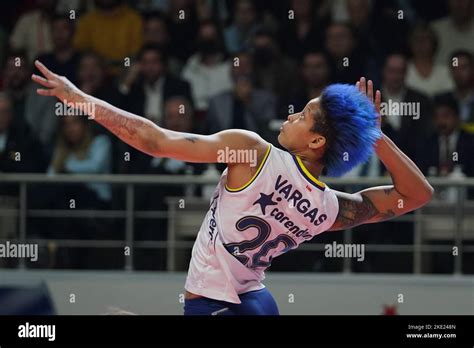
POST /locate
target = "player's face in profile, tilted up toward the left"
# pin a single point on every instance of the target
(296, 133)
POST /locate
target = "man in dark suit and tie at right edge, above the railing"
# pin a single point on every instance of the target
(450, 146)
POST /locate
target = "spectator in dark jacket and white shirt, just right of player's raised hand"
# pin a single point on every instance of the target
(404, 129)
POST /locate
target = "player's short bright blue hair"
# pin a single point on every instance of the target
(353, 129)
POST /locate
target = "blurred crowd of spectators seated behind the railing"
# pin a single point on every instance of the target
(208, 65)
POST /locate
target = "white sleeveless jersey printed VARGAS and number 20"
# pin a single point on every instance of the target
(282, 206)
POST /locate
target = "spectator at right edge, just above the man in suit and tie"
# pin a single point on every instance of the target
(463, 76)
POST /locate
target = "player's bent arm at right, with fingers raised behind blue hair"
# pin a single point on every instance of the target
(410, 189)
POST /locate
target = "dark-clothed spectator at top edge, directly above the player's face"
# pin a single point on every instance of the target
(299, 33)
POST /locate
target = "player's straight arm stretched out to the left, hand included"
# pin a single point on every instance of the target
(143, 134)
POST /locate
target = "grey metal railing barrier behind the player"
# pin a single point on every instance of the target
(130, 214)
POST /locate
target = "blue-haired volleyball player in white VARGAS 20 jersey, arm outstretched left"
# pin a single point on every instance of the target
(259, 212)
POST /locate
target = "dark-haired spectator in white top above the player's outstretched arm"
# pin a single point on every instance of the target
(208, 71)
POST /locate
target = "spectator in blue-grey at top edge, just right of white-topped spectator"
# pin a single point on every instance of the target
(239, 35)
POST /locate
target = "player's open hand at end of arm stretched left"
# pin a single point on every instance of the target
(56, 86)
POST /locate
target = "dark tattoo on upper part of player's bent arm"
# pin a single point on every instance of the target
(353, 213)
